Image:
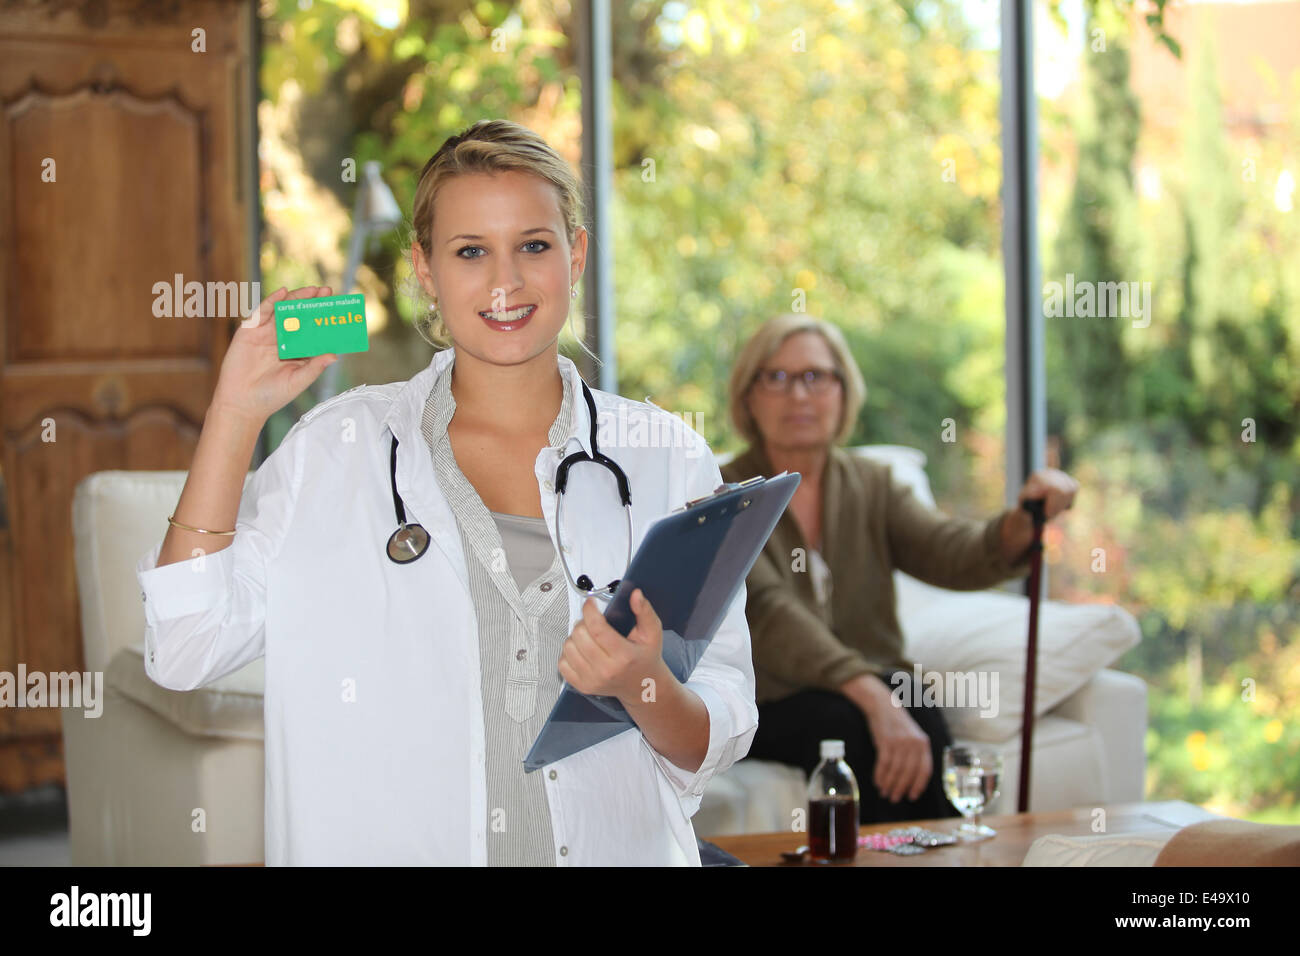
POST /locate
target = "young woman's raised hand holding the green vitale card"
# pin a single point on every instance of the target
(255, 383)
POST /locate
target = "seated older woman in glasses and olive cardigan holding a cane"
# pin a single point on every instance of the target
(821, 608)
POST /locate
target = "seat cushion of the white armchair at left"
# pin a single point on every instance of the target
(227, 708)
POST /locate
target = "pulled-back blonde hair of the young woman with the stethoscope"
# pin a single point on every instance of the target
(488, 146)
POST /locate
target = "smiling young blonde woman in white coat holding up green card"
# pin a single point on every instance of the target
(402, 695)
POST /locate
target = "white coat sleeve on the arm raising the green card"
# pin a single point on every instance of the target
(206, 617)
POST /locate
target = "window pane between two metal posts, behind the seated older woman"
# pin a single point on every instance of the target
(833, 158)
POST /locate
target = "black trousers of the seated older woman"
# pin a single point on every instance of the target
(792, 729)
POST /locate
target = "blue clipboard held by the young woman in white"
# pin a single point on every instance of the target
(691, 565)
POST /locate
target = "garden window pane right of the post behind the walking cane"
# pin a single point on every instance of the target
(1172, 308)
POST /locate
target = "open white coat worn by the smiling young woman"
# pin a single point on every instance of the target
(374, 711)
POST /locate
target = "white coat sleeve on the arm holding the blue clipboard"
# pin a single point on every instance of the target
(723, 678)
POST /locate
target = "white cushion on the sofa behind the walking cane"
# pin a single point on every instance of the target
(986, 633)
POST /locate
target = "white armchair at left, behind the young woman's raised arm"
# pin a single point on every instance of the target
(140, 775)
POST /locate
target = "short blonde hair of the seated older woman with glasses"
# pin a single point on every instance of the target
(765, 344)
